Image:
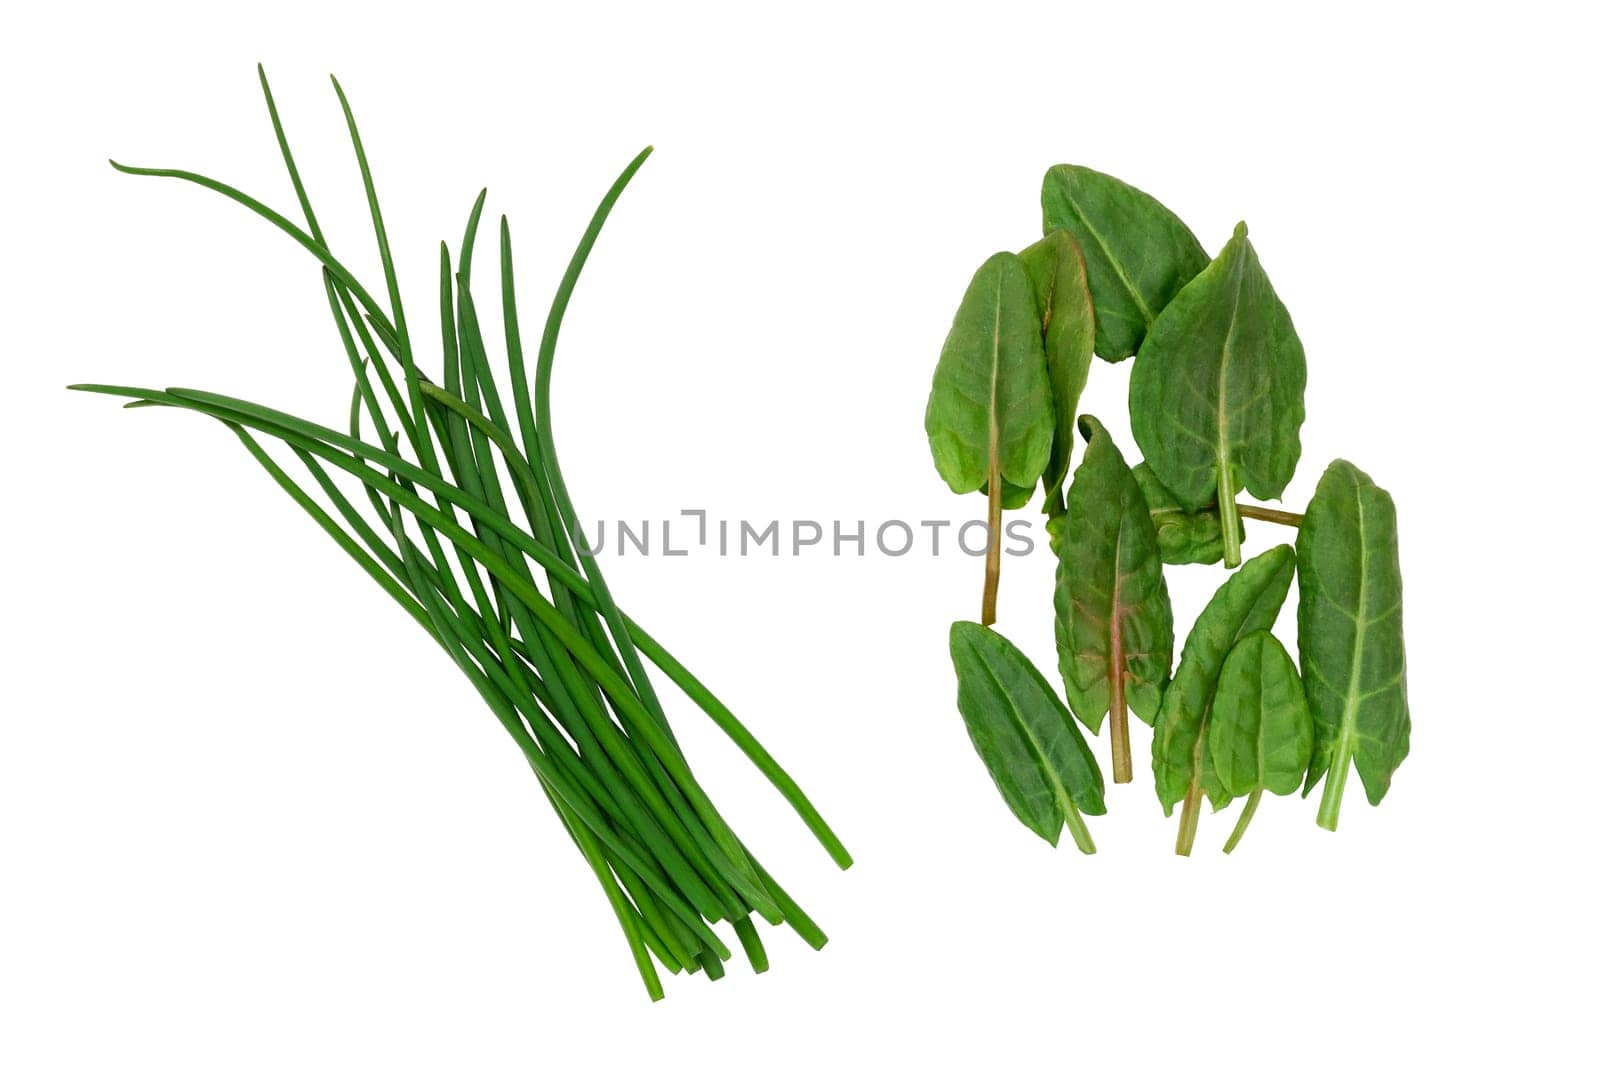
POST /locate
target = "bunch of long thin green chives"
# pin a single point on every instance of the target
(447, 470)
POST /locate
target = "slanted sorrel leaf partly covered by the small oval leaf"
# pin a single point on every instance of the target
(1247, 602)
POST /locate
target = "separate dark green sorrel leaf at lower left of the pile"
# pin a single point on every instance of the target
(1034, 753)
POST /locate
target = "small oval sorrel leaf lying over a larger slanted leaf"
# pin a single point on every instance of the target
(1260, 737)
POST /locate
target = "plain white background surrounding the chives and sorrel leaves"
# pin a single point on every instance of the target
(249, 815)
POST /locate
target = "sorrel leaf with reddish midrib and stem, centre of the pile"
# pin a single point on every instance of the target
(1114, 618)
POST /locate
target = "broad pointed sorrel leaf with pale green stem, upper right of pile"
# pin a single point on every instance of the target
(1218, 394)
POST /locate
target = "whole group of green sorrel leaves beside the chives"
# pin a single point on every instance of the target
(1217, 402)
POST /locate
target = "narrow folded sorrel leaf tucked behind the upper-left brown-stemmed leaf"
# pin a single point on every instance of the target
(1066, 314)
